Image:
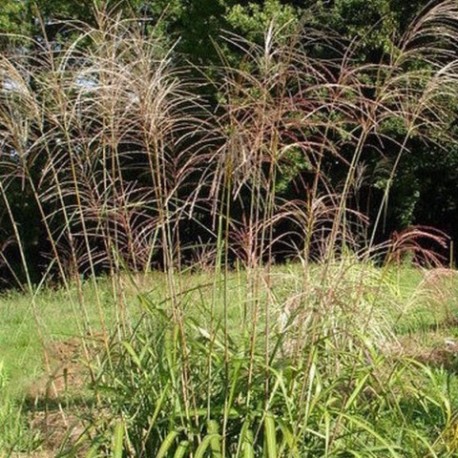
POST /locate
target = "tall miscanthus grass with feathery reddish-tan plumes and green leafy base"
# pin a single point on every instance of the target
(126, 165)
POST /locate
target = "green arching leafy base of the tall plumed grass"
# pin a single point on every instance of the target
(320, 384)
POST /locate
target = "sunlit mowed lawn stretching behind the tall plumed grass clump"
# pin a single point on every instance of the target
(415, 311)
